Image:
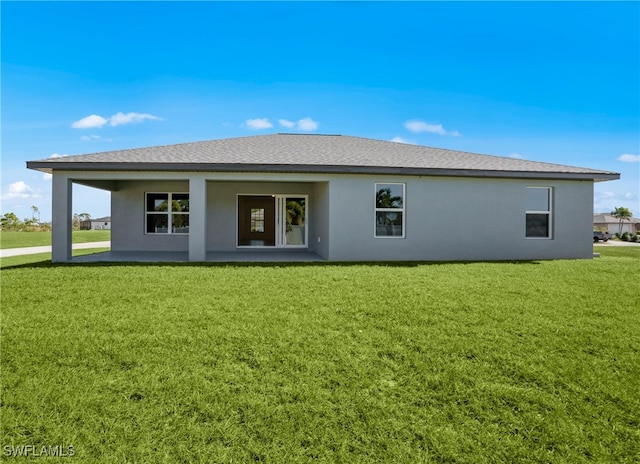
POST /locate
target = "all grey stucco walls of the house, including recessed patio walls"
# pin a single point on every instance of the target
(445, 218)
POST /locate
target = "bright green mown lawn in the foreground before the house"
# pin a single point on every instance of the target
(453, 362)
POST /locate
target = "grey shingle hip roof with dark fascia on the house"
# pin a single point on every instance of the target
(315, 153)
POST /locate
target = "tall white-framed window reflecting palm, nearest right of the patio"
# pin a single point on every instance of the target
(389, 203)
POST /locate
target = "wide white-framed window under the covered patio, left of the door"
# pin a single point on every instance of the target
(167, 213)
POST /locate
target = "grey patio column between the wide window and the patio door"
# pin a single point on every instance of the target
(197, 218)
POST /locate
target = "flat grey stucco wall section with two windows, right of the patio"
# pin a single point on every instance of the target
(459, 219)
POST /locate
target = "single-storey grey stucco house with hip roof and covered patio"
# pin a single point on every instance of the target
(337, 198)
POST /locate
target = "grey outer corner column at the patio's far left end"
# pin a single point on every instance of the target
(61, 204)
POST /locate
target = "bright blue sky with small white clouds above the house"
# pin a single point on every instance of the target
(554, 82)
